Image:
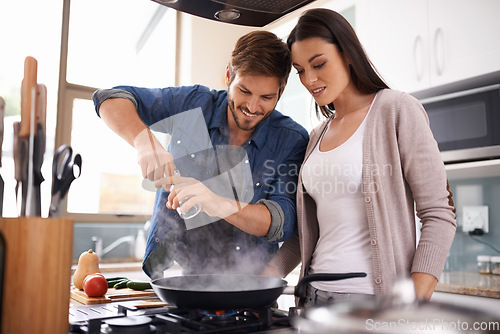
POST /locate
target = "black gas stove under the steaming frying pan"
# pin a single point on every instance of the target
(124, 318)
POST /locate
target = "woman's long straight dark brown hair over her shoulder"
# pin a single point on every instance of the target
(334, 28)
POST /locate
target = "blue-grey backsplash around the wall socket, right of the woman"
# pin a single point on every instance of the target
(465, 249)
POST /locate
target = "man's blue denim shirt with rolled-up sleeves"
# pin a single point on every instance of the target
(275, 153)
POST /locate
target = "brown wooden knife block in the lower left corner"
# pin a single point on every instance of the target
(37, 275)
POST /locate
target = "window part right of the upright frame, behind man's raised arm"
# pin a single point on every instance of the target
(128, 42)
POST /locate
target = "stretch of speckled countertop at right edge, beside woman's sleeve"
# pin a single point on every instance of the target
(471, 284)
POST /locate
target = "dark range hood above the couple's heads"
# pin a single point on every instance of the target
(256, 13)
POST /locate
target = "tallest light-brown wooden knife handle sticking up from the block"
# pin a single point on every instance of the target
(29, 83)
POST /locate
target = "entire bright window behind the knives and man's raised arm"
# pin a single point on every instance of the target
(101, 44)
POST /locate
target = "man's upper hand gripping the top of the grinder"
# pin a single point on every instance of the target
(156, 163)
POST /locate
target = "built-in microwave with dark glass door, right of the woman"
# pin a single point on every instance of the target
(465, 118)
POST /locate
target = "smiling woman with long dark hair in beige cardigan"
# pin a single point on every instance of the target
(366, 166)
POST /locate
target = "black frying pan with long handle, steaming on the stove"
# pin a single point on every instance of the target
(230, 292)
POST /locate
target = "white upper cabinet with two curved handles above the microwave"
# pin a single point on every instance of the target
(419, 44)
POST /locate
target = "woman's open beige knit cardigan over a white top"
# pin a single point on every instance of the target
(402, 167)
